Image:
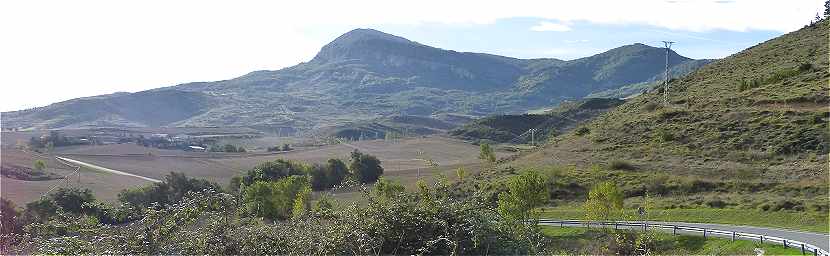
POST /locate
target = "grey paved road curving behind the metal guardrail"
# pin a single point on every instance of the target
(817, 239)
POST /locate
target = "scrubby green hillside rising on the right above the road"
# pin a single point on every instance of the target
(747, 132)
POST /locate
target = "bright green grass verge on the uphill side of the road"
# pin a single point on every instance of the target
(781, 219)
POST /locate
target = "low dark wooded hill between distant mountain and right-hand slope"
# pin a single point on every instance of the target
(513, 128)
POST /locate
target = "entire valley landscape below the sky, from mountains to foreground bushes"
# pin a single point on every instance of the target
(383, 145)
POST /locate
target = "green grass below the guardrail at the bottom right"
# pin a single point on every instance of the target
(570, 240)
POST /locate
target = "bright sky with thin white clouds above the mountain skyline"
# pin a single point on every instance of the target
(57, 50)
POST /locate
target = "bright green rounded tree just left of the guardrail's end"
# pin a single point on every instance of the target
(525, 192)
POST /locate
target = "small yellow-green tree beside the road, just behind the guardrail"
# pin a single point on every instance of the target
(604, 201)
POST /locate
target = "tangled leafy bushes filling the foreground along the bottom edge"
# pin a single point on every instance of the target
(208, 223)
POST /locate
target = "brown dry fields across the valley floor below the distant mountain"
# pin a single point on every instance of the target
(399, 159)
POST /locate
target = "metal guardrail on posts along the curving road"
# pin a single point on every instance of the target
(787, 243)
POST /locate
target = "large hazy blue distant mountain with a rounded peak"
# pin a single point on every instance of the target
(364, 75)
